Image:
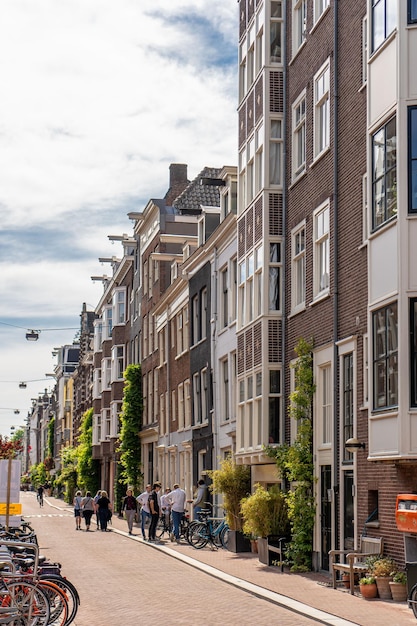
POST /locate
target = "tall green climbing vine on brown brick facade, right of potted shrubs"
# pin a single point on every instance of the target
(295, 462)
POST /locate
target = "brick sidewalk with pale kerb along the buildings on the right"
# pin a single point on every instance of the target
(312, 589)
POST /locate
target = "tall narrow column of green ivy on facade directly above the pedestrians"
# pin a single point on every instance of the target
(131, 423)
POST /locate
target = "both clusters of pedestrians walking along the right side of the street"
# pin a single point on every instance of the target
(151, 504)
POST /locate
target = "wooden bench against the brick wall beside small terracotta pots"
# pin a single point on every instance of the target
(355, 559)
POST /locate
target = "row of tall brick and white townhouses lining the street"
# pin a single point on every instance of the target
(311, 235)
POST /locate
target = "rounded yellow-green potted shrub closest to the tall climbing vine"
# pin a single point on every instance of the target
(265, 516)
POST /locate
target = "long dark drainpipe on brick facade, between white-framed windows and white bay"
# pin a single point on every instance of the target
(336, 440)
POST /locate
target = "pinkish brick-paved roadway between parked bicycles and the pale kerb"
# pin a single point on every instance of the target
(121, 581)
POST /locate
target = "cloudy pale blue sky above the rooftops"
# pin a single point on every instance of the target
(98, 98)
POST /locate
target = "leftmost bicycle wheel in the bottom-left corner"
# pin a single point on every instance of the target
(31, 602)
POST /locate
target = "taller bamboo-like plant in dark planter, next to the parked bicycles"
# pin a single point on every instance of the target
(232, 481)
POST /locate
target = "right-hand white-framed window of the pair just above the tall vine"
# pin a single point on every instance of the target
(321, 250)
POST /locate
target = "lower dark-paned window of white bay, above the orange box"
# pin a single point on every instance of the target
(385, 357)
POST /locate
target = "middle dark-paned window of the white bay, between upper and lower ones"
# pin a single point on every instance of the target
(384, 174)
